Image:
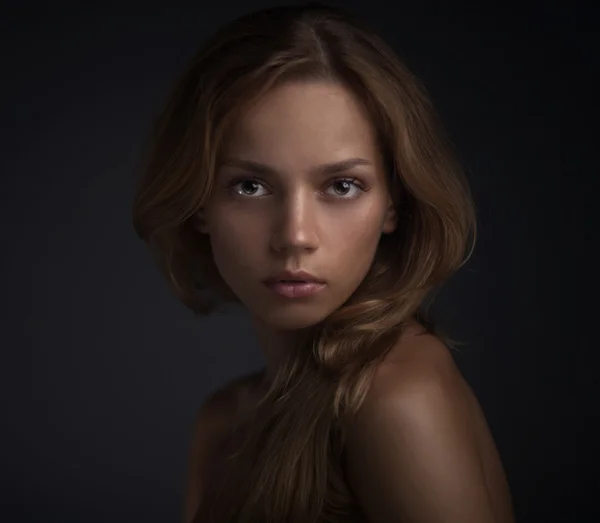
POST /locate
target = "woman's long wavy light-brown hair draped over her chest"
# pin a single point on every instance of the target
(289, 465)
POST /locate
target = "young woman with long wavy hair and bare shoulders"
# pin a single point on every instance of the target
(299, 170)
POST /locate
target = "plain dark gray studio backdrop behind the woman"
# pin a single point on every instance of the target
(103, 370)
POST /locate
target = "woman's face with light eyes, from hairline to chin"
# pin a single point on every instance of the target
(274, 206)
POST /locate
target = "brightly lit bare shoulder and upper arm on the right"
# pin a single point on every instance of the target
(420, 448)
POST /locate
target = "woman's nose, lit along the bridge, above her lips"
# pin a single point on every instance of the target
(295, 226)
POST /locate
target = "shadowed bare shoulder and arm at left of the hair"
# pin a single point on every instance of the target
(212, 425)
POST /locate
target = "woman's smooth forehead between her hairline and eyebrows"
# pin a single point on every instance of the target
(302, 121)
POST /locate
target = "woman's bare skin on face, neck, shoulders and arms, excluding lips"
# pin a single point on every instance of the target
(420, 449)
